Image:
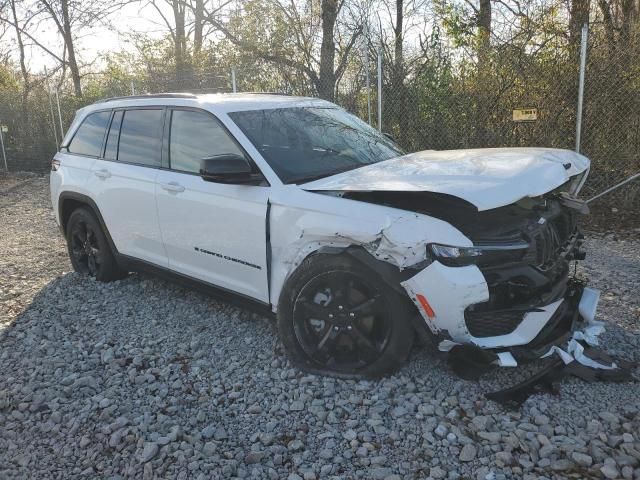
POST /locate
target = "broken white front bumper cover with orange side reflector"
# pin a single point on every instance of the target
(449, 292)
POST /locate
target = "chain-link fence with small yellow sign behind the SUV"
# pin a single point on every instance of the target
(447, 101)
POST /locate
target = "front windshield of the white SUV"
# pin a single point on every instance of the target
(307, 143)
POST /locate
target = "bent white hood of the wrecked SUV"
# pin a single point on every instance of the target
(487, 178)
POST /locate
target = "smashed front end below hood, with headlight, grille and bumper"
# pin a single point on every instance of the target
(513, 293)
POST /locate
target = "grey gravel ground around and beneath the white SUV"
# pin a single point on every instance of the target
(141, 378)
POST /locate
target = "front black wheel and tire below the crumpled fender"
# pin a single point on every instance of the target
(357, 349)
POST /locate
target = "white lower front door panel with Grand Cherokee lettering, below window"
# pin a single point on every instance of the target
(215, 232)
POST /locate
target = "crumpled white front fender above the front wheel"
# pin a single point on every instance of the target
(302, 223)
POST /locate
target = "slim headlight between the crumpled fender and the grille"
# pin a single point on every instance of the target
(477, 255)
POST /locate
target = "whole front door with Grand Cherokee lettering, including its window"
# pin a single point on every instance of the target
(212, 232)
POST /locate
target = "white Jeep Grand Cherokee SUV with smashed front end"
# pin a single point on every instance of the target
(300, 207)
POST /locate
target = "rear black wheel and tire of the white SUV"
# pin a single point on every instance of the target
(89, 249)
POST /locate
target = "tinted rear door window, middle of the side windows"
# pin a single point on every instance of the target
(141, 137)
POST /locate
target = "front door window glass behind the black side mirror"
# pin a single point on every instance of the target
(194, 136)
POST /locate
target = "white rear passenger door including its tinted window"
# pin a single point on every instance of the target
(123, 182)
